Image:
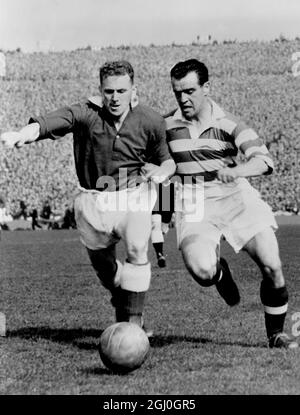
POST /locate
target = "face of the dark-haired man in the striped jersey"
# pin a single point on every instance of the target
(190, 95)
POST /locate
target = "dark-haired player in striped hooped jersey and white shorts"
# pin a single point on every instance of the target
(214, 199)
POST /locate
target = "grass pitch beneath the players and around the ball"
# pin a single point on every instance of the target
(56, 311)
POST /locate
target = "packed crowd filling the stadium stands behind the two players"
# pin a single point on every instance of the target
(253, 80)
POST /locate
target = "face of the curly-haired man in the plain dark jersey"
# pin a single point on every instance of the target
(116, 92)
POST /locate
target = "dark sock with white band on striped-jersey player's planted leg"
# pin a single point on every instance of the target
(275, 301)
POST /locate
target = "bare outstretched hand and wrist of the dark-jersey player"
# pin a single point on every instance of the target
(26, 135)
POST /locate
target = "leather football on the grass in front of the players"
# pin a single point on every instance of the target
(123, 347)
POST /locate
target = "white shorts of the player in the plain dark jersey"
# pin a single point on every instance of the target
(102, 217)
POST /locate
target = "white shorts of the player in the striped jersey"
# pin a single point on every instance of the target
(234, 210)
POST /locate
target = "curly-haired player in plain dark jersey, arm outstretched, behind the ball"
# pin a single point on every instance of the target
(120, 149)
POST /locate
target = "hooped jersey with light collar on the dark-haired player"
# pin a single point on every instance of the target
(203, 150)
